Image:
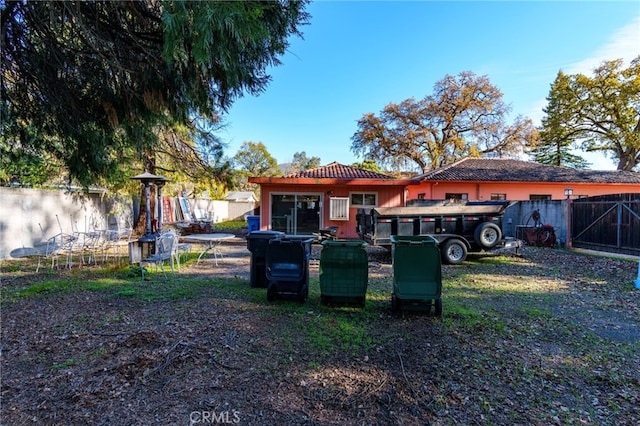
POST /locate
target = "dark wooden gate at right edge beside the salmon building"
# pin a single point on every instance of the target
(607, 223)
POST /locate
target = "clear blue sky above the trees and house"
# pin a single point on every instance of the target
(358, 56)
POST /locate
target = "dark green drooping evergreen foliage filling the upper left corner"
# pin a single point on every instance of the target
(93, 83)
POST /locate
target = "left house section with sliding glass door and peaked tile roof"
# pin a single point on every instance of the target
(325, 197)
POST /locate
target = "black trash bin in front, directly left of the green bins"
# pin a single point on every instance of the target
(287, 268)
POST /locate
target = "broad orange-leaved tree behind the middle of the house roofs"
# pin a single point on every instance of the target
(464, 117)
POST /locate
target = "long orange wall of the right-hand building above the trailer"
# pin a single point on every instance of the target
(515, 190)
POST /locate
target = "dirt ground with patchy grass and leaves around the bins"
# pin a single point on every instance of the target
(544, 337)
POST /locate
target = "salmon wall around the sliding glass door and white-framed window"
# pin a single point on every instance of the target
(388, 196)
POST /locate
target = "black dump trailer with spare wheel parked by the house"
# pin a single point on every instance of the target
(459, 227)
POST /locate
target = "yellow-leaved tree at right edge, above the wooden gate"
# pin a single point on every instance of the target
(600, 113)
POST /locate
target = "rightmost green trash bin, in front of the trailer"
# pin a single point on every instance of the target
(417, 273)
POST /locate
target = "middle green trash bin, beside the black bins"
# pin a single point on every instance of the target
(344, 272)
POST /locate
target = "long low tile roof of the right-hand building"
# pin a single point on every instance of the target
(508, 170)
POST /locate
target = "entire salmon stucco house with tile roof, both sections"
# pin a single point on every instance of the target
(330, 196)
